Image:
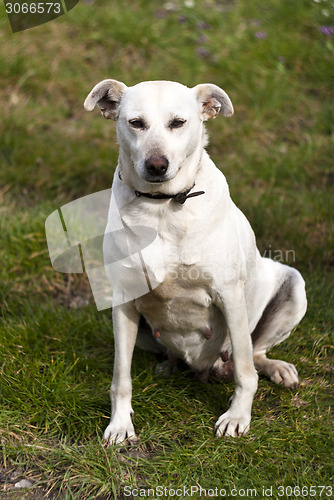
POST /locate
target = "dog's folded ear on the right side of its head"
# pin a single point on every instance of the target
(213, 100)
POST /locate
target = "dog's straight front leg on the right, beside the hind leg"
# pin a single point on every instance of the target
(236, 420)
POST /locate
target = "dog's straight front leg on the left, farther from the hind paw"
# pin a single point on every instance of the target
(120, 429)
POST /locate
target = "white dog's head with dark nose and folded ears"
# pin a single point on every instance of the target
(159, 126)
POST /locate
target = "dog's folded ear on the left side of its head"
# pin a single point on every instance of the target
(107, 95)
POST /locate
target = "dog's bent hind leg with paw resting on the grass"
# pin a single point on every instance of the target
(283, 312)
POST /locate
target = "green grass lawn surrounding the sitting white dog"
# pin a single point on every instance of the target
(56, 352)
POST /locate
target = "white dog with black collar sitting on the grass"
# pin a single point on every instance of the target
(217, 298)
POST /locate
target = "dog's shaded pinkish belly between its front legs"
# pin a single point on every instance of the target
(187, 322)
